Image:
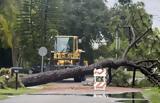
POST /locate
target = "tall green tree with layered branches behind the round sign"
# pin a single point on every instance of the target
(38, 23)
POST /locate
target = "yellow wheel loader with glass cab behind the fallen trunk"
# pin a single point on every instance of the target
(66, 54)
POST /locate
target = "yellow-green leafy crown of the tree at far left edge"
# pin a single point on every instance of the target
(7, 21)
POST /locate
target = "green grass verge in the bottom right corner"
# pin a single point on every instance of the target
(153, 94)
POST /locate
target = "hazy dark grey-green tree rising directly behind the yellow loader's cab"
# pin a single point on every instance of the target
(85, 18)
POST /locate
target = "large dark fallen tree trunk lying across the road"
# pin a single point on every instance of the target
(56, 75)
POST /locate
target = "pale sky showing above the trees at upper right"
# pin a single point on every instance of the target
(152, 7)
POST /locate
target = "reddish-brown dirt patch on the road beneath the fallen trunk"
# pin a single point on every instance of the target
(80, 88)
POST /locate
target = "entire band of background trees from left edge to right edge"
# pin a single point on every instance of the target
(26, 25)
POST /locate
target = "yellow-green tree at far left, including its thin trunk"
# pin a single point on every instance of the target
(8, 11)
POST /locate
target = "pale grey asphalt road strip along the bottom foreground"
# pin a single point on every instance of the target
(57, 99)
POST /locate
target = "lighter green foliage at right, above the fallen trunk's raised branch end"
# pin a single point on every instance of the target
(124, 15)
